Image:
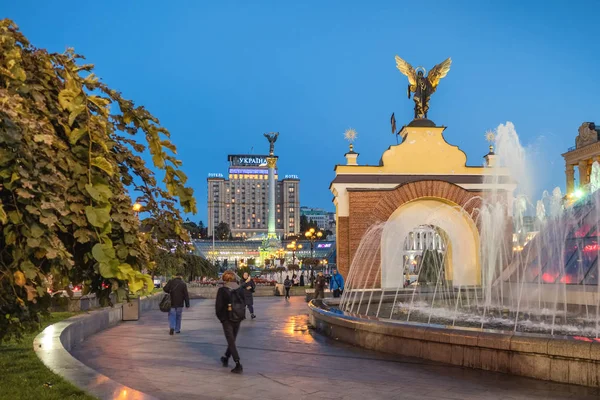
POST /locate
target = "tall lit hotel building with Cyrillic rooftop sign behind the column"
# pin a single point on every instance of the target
(241, 199)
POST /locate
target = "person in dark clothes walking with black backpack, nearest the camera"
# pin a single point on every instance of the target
(231, 310)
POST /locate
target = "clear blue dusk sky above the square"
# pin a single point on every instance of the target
(219, 74)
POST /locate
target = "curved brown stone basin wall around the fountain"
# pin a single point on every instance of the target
(565, 359)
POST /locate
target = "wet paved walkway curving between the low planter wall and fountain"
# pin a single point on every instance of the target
(283, 359)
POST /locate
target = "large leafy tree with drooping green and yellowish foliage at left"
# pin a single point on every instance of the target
(70, 155)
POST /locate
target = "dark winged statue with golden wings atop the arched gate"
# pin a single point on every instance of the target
(422, 86)
